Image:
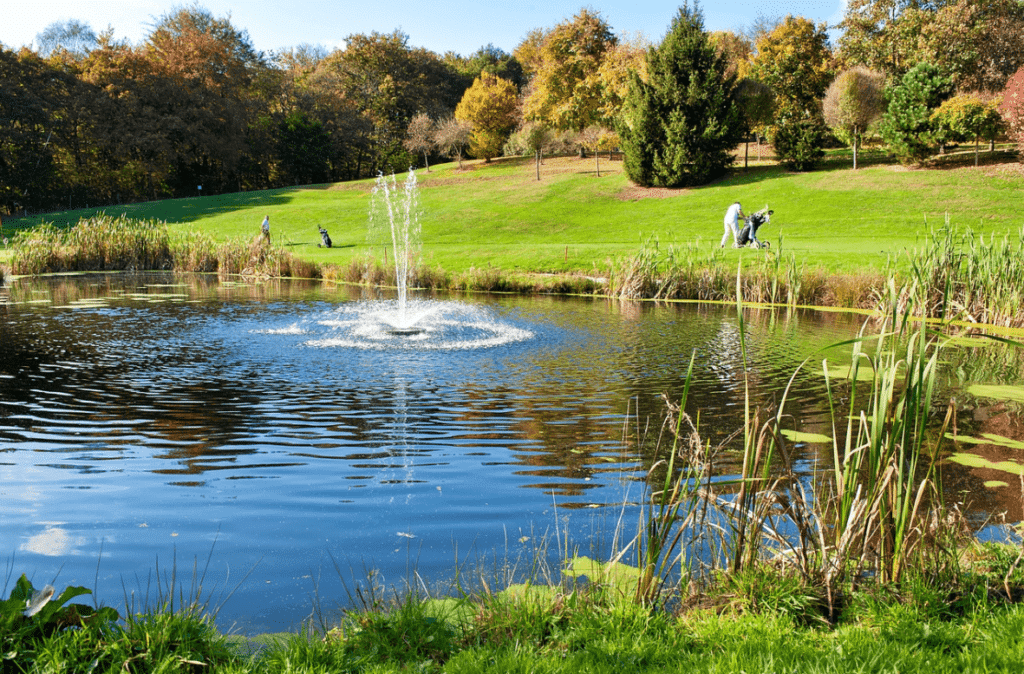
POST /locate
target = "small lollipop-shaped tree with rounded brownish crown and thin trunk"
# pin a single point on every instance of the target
(854, 101)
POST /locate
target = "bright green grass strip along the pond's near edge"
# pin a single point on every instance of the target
(962, 627)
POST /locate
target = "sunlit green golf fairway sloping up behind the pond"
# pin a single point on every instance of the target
(500, 216)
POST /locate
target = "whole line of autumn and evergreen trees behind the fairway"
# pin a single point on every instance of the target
(88, 119)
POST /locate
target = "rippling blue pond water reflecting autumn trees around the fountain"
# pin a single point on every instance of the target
(149, 423)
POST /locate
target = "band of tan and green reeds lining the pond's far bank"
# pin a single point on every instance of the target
(955, 275)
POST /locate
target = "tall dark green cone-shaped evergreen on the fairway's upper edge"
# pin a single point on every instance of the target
(680, 127)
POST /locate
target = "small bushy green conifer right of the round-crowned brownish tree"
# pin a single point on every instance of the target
(907, 125)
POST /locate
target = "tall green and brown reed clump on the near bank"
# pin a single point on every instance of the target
(877, 513)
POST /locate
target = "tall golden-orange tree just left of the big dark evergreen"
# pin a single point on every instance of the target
(567, 91)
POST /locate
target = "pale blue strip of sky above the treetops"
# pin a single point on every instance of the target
(459, 26)
